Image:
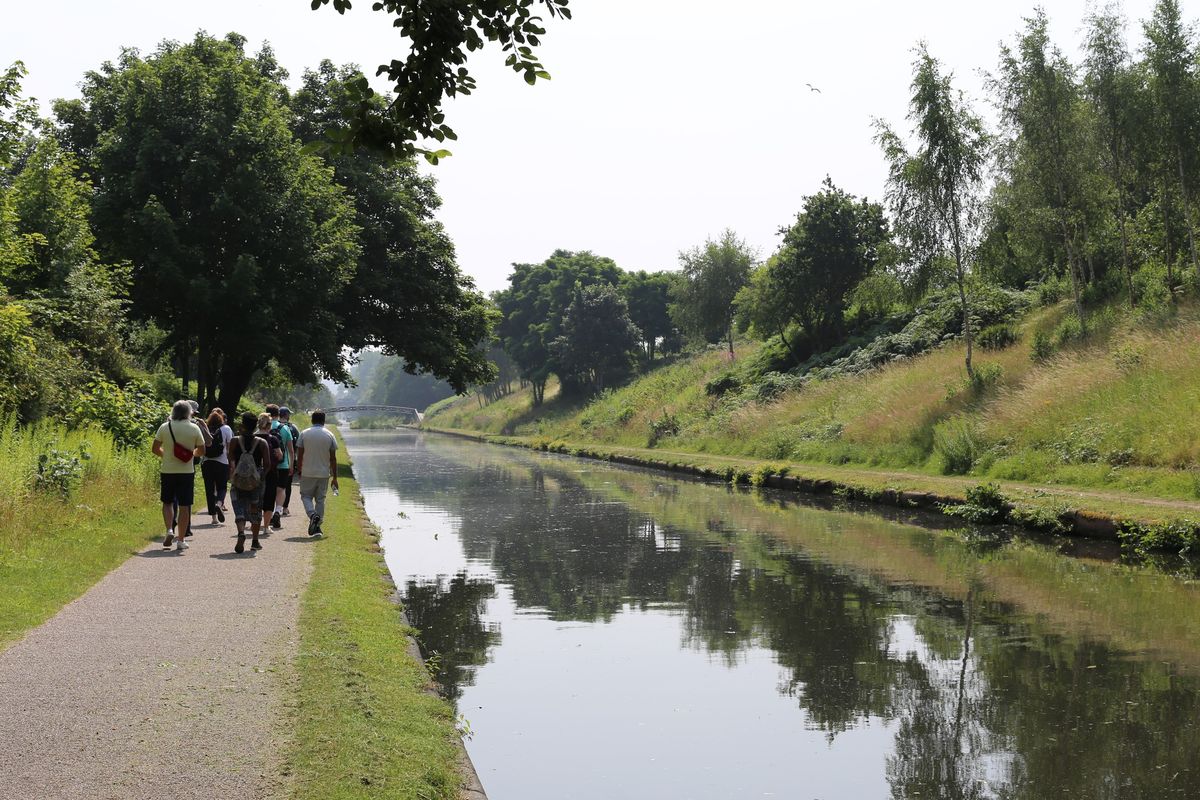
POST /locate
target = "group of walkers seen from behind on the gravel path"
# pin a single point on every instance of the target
(255, 470)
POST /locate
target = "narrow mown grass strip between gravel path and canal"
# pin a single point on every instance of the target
(365, 725)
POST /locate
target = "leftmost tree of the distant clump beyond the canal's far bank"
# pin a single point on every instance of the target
(533, 308)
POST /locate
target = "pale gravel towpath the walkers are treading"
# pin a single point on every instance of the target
(167, 679)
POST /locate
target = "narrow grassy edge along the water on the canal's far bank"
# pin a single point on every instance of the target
(1149, 522)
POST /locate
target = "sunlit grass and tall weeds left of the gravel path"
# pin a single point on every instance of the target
(56, 544)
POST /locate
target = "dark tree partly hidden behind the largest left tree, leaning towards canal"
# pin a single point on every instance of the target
(407, 297)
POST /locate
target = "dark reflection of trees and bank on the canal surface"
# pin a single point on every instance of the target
(985, 701)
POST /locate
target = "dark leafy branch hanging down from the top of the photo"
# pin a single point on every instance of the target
(441, 37)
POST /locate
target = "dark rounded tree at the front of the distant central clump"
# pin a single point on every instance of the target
(598, 344)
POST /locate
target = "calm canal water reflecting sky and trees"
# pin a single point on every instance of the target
(616, 634)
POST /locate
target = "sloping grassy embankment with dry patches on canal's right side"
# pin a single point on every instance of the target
(1111, 420)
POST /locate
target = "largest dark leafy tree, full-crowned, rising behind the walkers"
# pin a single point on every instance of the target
(242, 245)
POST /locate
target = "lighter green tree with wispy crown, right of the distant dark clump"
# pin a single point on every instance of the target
(712, 276)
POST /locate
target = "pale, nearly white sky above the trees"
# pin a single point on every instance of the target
(667, 122)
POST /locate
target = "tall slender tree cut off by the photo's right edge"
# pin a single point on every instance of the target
(1172, 58)
